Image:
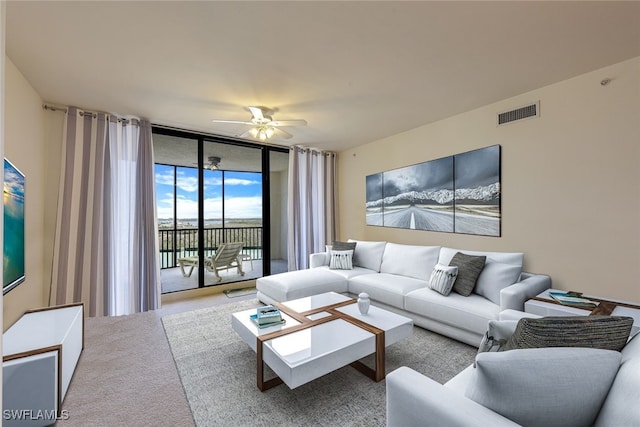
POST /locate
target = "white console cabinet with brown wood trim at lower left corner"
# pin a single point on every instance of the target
(39, 355)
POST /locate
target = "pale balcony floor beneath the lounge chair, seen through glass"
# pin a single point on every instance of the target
(172, 279)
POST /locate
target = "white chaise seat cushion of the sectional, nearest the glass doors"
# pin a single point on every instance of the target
(302, 283)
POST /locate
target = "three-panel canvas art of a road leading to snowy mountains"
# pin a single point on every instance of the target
(455, 194)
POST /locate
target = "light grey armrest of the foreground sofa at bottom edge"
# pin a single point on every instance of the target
(416, 400)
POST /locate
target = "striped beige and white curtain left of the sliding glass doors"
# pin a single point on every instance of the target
(106, 244)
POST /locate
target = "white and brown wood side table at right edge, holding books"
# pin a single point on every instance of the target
(543, 305)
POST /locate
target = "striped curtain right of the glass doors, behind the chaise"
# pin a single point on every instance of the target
(311, 205)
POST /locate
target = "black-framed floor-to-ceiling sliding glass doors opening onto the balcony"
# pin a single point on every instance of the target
(221, 209)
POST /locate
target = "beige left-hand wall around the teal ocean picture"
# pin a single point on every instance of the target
(24, 136)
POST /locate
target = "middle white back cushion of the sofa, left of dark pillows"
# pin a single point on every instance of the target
(409, 260)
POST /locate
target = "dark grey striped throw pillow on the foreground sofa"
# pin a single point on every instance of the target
(604, 332)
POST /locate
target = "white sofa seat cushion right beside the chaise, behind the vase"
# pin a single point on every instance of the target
(387, 288)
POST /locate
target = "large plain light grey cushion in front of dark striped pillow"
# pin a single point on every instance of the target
(567, 385)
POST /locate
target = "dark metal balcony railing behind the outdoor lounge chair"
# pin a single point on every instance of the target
(183, 242)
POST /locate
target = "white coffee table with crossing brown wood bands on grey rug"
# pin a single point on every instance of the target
(322, 333)
